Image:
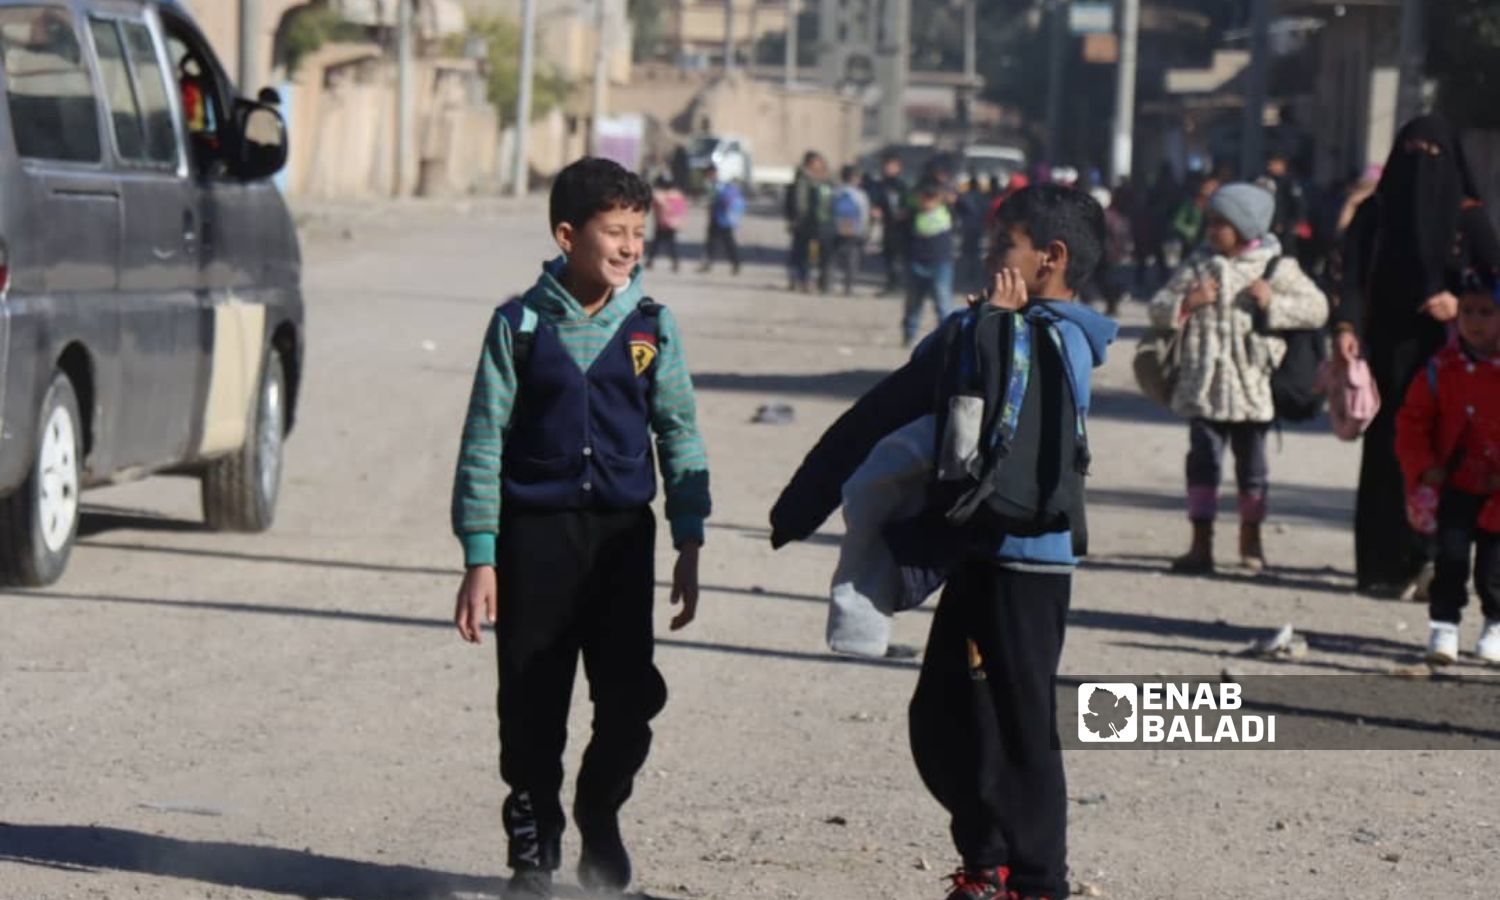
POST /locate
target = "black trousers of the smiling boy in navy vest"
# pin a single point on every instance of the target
(574, 584)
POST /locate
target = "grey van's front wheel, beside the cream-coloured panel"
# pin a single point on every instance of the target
(239, 491)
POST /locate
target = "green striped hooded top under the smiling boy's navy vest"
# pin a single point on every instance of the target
(674, 415)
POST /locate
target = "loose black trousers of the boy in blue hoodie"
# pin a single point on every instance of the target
(986, 740)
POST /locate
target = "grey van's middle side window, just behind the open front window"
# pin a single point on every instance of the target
(137, 92)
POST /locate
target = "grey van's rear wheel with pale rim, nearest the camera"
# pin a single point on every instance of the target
(40, 521)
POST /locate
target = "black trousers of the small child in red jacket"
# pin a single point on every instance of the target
(1459, 539)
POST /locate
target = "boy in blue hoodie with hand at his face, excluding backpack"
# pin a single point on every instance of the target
(983, 721)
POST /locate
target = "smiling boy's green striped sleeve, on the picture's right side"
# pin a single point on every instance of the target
(680, 446)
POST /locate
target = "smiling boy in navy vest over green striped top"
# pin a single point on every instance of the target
(575, 380)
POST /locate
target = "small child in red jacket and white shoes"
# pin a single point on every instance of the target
(1448, 440)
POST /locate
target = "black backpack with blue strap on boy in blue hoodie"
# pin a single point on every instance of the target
(1012, 449)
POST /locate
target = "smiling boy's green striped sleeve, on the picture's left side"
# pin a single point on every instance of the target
(476, 481)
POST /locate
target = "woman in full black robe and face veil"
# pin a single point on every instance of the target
(1421, 229)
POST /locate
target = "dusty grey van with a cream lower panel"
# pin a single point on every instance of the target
(151, 304)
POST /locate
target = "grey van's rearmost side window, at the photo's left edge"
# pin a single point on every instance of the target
(53, 109)
